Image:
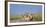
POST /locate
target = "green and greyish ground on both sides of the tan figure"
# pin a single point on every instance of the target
(36, 17)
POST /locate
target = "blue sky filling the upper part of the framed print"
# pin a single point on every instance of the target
(16, 9)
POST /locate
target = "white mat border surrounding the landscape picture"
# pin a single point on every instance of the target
(24, 22)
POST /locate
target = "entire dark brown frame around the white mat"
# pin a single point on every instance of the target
(6, 13)
